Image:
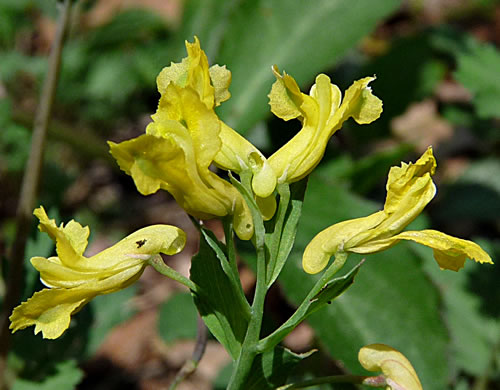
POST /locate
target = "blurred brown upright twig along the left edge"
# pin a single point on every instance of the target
(30, 185)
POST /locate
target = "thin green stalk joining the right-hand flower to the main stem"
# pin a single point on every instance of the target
(279, 334)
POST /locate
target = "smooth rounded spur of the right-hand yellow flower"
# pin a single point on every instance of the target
(334, 239)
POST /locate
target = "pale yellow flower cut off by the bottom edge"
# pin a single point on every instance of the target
(398, 371)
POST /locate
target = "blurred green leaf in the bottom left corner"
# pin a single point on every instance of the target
(66, 377)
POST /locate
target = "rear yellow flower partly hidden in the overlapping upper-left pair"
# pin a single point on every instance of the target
(235, 152)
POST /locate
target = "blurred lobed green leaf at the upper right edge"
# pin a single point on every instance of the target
(477, 70)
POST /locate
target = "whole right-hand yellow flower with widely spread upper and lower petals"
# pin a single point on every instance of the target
(409, 189)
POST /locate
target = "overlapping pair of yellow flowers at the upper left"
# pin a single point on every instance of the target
(186, 137)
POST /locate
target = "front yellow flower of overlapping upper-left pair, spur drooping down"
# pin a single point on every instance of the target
(175, 155)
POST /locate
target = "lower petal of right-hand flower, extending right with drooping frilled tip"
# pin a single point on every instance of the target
(449, 252)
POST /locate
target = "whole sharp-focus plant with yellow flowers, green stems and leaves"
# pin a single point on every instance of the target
(178, 153)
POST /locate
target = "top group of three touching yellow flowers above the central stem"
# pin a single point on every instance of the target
(186, 137)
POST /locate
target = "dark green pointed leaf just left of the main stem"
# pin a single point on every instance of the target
(218, 301)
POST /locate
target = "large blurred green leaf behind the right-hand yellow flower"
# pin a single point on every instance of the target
(392, 301)
